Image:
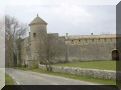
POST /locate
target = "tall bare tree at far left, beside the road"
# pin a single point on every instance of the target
(13, 31)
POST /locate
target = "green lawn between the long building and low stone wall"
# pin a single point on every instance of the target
(103, 65)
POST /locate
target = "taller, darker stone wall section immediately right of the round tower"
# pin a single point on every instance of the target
(56, 48)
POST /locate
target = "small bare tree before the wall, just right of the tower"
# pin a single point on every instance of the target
(55, 49)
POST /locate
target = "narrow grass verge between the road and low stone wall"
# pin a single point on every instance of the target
(77, 77)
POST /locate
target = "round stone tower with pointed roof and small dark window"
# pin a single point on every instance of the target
(38, 39)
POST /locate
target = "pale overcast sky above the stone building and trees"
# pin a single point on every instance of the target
(76, 17)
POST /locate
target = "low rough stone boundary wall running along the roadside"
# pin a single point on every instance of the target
(95, 73)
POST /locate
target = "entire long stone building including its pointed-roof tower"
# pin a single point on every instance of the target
(41, 46)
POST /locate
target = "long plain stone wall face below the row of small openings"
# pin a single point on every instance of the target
(91, 52)
